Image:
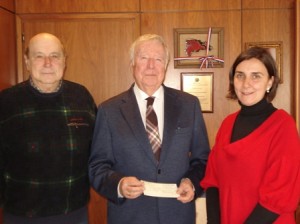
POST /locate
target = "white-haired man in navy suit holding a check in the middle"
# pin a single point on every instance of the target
(122, 159)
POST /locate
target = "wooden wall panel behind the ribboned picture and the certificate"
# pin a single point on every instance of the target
(164, 23)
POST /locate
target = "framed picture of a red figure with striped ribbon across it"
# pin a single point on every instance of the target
(192, 43)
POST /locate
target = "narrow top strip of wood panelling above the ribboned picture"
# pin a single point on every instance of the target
(189, 5)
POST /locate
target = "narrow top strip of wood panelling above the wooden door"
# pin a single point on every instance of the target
(71, 6)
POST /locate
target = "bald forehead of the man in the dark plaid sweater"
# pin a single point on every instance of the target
(45, 44)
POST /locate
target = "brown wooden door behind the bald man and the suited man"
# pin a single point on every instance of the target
(97, 56)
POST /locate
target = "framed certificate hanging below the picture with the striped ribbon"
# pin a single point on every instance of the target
(199, 84)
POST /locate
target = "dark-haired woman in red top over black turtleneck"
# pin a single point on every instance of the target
(253, 171)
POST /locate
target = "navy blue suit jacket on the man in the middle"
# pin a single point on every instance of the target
(121, 148)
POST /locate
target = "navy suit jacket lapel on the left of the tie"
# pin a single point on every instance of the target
(130, 110)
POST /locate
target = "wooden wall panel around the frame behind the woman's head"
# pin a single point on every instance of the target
(275, 25)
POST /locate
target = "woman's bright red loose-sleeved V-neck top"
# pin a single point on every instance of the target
(263, 167)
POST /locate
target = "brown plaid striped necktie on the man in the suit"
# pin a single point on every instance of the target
(152, 128)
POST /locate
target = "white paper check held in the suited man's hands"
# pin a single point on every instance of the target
(160, 190)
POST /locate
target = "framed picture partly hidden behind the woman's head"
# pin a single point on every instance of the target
(275, 49)
